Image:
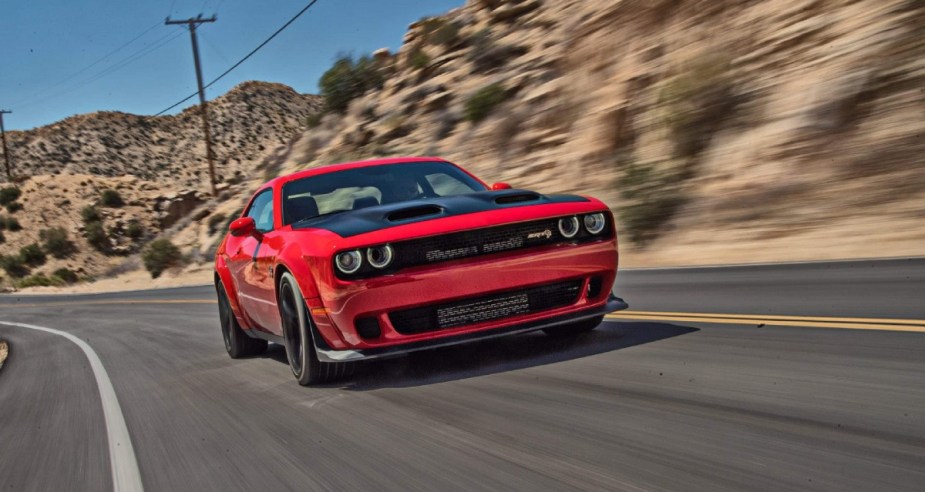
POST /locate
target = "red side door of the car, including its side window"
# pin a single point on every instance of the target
(251, 264)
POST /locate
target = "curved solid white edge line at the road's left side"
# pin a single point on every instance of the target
(125, 473)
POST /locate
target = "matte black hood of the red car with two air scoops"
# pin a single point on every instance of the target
(355, 222)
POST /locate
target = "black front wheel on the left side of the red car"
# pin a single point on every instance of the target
(300, 348)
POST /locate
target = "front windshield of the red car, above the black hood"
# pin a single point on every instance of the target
(354, 189)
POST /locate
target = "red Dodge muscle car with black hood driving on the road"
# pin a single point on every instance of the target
(373, 259)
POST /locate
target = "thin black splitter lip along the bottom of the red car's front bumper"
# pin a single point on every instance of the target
(325, 354)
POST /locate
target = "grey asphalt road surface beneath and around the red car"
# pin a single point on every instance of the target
(635, 405)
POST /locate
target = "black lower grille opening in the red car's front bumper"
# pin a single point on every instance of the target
(485, 308)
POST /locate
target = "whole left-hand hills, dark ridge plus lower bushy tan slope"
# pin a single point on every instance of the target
(93, 189)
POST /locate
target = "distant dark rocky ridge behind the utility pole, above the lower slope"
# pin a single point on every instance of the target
(247, 123)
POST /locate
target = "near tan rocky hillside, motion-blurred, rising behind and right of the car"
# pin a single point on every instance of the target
(720, 131)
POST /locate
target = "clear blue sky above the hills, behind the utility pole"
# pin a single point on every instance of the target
(50, 64)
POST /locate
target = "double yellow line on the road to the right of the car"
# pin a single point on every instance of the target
(911, 325)
